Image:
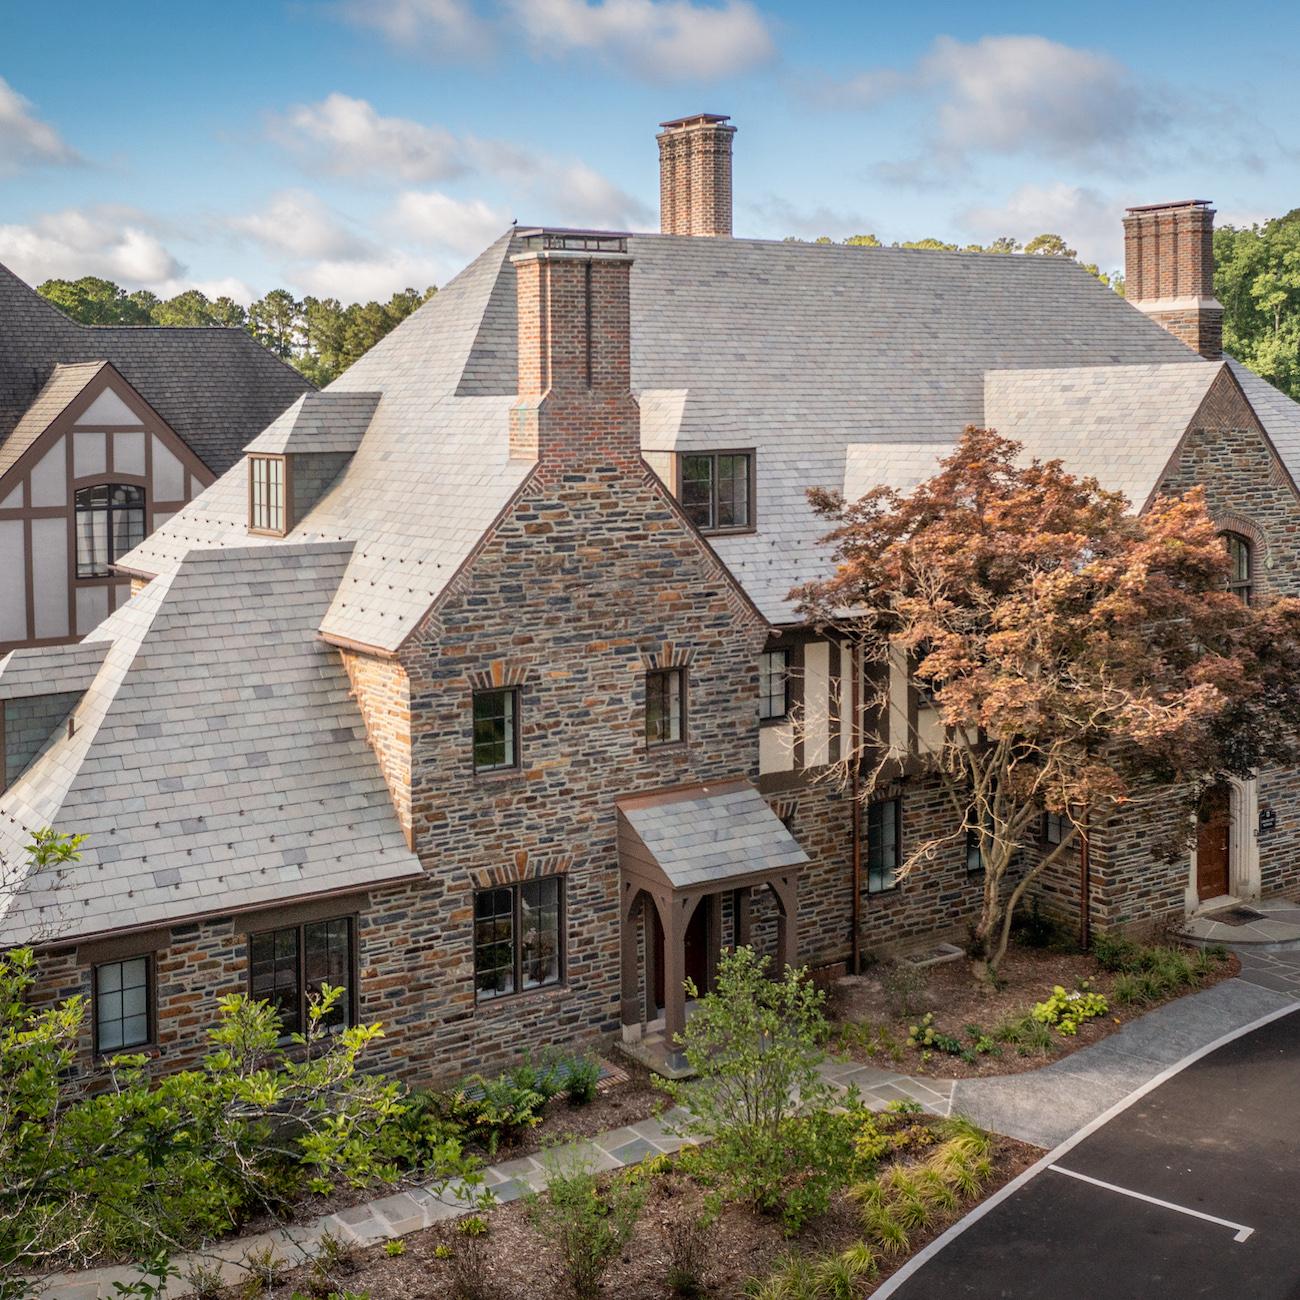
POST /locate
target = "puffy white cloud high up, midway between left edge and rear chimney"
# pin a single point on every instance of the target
(348, 137)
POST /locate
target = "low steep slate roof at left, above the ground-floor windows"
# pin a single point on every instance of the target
(219, 761)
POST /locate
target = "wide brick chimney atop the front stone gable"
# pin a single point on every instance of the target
(575, 358)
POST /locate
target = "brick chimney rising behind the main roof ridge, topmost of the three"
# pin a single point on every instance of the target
(695, 176)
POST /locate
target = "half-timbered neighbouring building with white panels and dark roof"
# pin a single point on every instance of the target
(106, 432)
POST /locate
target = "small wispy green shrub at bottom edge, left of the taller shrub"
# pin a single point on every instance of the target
(587, 1224)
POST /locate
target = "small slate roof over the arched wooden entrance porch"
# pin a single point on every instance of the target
(712, 835)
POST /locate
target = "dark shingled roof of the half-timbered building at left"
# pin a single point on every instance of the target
(216, 388)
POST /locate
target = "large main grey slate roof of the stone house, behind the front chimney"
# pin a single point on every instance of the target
(800, 352)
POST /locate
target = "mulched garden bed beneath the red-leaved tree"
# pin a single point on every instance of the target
(950, 991)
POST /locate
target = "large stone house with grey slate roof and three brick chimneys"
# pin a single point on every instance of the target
(473, 686)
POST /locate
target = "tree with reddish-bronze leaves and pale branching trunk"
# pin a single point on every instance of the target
(1081, 658)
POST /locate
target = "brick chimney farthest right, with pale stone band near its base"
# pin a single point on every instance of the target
(1169, 271)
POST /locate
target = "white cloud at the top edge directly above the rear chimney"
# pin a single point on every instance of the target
(661, 41)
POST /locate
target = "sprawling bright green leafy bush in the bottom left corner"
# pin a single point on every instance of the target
(259, 1124)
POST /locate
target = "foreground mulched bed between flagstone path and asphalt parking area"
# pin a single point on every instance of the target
(513, 1262)
